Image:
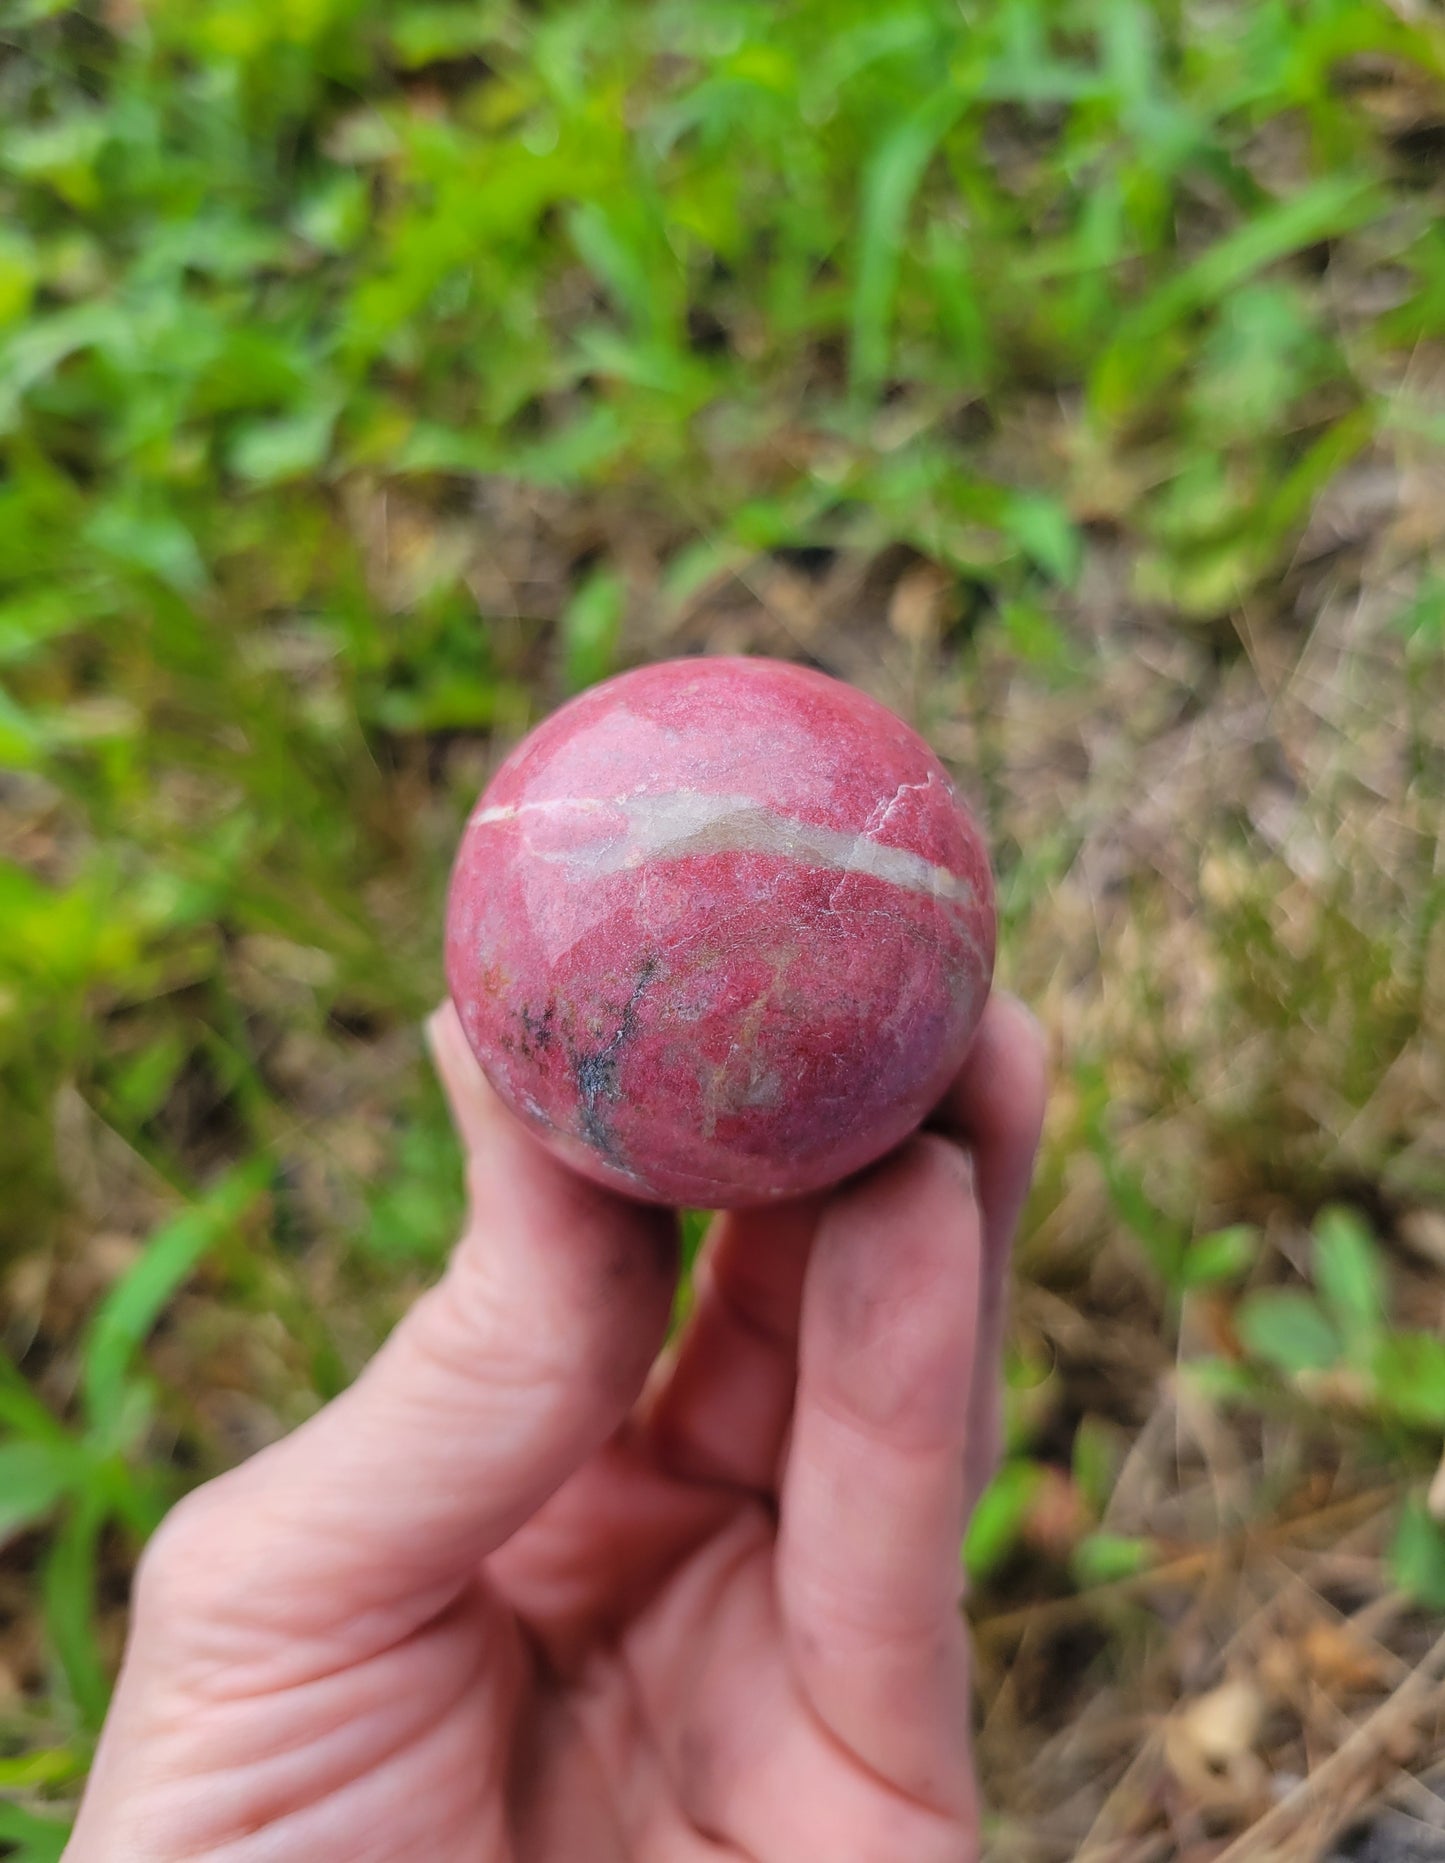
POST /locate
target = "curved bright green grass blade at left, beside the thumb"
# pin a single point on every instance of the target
(137, 1301)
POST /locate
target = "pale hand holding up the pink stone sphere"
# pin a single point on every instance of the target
(539, 1590)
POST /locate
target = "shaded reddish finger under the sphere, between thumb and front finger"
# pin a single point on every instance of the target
(722, 1413)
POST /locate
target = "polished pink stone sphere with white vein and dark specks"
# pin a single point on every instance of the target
(720, 932)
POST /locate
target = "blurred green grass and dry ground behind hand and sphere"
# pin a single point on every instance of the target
(1068, 372)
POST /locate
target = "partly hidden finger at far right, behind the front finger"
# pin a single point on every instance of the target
(995, 1109)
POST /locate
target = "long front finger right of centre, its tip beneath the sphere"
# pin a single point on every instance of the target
(874, 1491)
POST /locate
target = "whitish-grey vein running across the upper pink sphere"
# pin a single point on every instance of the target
(688, 823)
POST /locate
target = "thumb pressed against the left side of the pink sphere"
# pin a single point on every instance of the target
(513, 1370)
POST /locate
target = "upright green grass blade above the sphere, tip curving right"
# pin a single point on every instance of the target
(889, 185)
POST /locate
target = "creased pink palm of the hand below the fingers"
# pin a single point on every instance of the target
(668, 1734)
